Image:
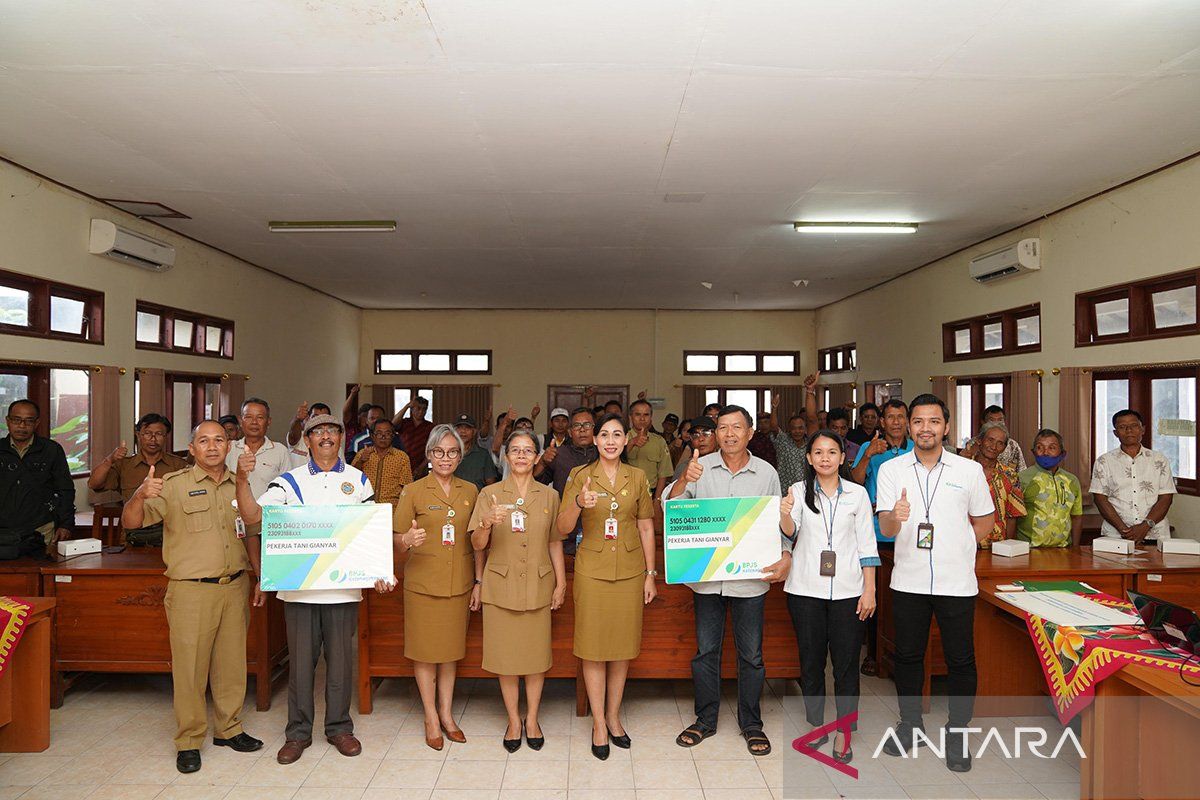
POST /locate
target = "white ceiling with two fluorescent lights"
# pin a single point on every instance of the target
(526, 148)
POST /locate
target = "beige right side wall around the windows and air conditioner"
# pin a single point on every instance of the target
(1139, 231)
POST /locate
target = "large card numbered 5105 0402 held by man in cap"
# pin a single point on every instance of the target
(327, 548)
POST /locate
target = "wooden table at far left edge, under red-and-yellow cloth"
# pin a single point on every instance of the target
(26, 684)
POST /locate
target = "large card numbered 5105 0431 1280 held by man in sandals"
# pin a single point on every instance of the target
(721, 539)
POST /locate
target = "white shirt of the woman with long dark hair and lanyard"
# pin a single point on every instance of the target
(844, 525)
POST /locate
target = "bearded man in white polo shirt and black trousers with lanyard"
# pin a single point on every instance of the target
(939, 508)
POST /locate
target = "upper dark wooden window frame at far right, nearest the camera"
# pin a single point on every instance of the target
(1142, 310)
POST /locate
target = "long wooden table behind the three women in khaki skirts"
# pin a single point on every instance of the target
(669, 642)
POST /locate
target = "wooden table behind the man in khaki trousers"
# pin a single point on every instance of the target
(111, 618)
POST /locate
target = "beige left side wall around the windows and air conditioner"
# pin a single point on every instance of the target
(296, 344)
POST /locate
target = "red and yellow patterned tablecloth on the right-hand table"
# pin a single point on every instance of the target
(1075, 659)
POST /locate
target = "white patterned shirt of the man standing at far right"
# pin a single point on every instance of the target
(1133, 486)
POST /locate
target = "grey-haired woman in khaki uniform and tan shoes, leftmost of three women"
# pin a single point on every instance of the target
(442, 579)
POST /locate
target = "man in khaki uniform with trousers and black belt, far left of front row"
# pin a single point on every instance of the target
(209, 582)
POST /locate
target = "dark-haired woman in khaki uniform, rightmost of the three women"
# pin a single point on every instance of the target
(614, 575)
